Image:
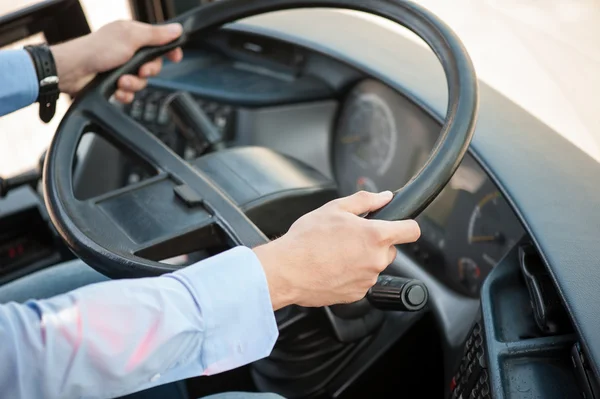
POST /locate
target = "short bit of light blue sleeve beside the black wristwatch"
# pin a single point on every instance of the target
(18, 81)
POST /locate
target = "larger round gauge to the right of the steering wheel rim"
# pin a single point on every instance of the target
(486, 230)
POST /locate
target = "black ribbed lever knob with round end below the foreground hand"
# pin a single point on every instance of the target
(397, 293)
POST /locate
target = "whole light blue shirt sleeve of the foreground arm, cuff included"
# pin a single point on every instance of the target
(118, 337)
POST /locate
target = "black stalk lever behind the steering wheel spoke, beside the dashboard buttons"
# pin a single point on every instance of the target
(193, 123)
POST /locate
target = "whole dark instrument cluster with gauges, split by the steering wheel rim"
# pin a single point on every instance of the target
(381, 141)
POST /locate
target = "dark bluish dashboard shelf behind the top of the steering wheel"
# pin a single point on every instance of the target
(244, 69)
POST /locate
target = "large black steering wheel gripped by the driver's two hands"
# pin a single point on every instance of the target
(110, 232)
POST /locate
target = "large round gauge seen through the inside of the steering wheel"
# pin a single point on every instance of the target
(365, 141)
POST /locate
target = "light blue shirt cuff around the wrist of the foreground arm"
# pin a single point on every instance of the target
(232, 294)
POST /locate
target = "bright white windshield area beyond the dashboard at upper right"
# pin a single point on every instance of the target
(542, 54)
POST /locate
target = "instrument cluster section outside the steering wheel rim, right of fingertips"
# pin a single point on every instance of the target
(466, 230)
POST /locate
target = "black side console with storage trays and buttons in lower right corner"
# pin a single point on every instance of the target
(523, 344)
